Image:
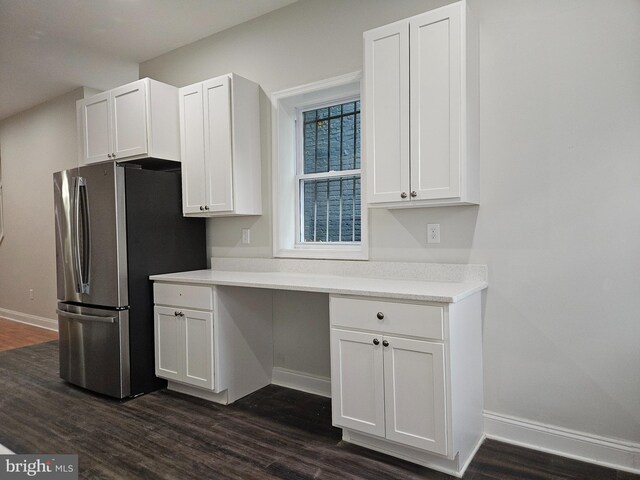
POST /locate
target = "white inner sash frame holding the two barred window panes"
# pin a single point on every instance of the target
(300, 175)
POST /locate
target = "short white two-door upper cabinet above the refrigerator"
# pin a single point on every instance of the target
(133, 121)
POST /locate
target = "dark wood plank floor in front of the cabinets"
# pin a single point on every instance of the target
(275, 433)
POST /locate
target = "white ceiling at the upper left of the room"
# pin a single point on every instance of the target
(50, 47)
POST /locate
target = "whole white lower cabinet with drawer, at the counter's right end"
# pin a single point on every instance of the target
(406, 381)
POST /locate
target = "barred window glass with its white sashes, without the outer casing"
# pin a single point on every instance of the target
(328, 175)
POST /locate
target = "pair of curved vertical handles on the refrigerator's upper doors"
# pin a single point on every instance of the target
(81, 236)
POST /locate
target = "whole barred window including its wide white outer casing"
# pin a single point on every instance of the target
(317, 199)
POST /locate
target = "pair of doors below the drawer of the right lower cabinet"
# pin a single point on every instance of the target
(391, 387)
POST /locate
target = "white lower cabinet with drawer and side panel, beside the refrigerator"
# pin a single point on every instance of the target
(213, 342)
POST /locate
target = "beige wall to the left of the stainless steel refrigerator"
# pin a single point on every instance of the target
(33, 145)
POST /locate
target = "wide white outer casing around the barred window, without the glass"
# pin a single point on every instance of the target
(287, 106)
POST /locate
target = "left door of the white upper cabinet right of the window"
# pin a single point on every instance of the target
(386, 111)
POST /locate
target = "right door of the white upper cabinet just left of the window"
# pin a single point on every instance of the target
(217, 144)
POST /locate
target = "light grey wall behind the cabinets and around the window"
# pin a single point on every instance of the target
(559, 221)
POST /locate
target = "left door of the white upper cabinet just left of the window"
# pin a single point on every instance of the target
(192, 149)
